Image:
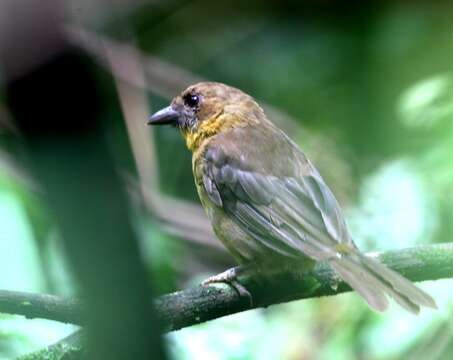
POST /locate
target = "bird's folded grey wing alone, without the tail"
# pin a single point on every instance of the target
(290, 214)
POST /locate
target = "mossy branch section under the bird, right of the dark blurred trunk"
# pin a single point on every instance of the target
(200, 304)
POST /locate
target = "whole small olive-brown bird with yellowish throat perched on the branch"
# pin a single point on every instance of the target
(266, 201)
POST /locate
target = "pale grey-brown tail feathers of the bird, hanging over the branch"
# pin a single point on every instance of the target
(375, 282)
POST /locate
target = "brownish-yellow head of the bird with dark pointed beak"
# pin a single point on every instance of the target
(206, 109)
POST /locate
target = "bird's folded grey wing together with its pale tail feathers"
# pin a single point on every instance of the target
(296, 213)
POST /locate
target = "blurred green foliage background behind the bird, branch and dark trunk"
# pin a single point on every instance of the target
(365, 88)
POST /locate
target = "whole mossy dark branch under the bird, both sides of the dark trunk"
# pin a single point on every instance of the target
(202, 303)
